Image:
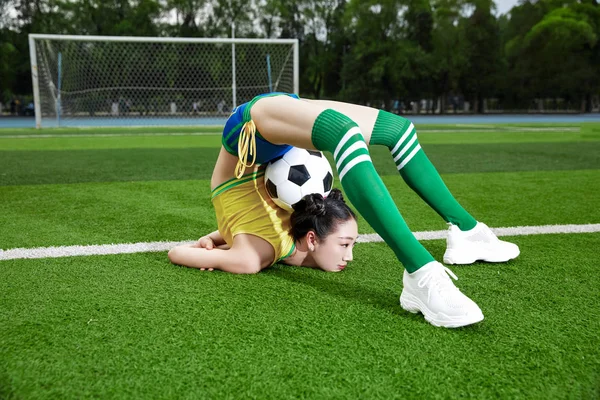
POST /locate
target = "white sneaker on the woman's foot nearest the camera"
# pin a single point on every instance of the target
(431, 291)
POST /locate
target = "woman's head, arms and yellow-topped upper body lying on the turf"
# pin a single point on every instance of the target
(254, 233)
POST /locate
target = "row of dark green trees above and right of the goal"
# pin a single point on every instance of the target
(365, 51)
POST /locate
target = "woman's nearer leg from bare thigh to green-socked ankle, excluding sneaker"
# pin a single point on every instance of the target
(284, 120)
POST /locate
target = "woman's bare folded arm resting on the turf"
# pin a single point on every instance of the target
(248, 255)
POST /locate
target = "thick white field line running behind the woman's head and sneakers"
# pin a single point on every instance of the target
(127, 248)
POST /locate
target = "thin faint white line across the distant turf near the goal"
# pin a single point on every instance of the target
(89, 135)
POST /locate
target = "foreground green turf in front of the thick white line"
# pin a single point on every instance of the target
(133, 326)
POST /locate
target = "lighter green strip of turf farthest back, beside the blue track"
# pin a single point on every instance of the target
(185, 137)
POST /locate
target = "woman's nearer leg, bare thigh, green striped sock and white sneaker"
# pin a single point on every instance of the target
(427, 285)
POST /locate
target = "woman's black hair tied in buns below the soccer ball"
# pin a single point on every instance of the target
(319, 214)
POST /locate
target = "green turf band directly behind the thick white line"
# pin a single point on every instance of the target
(103, 213)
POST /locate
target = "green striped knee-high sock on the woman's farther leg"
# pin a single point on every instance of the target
(400, 136)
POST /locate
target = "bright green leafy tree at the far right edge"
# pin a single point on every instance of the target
(558, 55)
